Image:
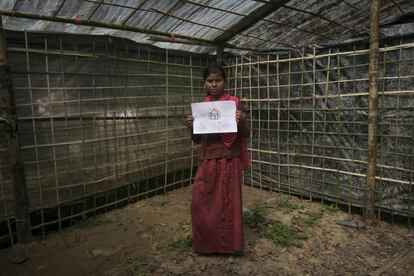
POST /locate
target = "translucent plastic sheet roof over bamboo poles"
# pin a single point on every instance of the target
(271, 25)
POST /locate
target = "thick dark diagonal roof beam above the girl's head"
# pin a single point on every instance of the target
(250, 20)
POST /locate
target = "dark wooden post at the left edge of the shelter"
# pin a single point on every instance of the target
(8, 119)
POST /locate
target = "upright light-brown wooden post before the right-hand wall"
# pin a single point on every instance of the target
(372, 111)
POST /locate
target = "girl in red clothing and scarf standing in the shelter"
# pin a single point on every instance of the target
(216, 203)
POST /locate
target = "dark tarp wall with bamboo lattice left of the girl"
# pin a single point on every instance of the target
(101, 124)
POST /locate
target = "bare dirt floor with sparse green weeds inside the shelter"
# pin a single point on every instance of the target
(283, 236)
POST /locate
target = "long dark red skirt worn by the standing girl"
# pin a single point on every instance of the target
(216, 207)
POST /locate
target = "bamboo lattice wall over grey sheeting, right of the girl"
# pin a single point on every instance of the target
(309, 118)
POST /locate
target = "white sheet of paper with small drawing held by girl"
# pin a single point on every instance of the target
(214, 117)
